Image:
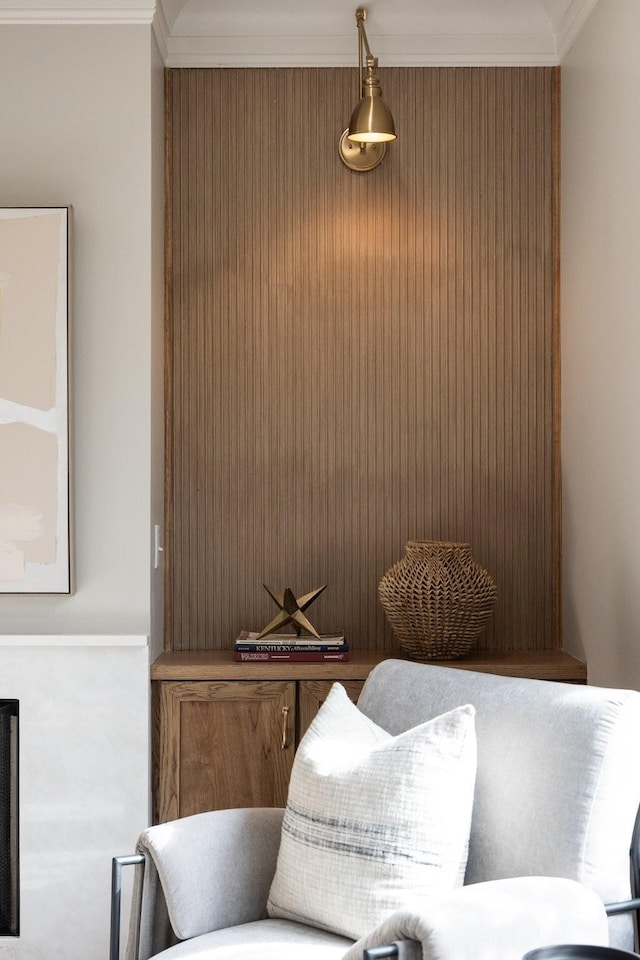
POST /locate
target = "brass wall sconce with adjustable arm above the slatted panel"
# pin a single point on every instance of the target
(364, 143)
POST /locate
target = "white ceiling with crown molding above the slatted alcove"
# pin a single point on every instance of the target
(302, 33)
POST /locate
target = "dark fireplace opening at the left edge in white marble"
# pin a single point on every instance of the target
(9, 867)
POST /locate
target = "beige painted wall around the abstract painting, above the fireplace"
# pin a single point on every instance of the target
(81, 124)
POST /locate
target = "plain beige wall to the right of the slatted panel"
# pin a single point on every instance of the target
(600, 322)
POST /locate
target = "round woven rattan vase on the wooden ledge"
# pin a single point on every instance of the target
(437, 599)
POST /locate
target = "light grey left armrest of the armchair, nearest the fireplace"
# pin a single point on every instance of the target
(205, 872)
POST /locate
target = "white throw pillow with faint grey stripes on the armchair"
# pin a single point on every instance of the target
(373, 822)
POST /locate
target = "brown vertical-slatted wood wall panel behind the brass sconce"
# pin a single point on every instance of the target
(356, 359)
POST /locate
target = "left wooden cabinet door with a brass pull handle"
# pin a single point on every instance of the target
(222, 744)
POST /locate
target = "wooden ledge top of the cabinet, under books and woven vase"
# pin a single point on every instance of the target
(220, 665)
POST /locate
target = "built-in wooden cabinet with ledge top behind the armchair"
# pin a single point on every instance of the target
(225, 733)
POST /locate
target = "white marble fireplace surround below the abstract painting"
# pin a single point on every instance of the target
(84, 783)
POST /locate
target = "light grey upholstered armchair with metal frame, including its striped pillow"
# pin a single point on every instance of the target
(494, 815)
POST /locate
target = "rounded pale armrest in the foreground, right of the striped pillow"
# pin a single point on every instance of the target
(496, 920)
